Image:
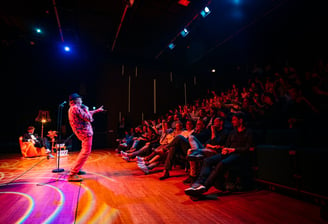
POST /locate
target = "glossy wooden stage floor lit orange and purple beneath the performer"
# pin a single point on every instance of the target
(116, 191)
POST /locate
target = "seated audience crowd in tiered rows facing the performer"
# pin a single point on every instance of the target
(219, 131)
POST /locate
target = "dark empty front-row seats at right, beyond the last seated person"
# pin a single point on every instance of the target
(293, 160)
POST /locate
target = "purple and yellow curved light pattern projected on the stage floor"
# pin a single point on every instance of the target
(32, 180)
